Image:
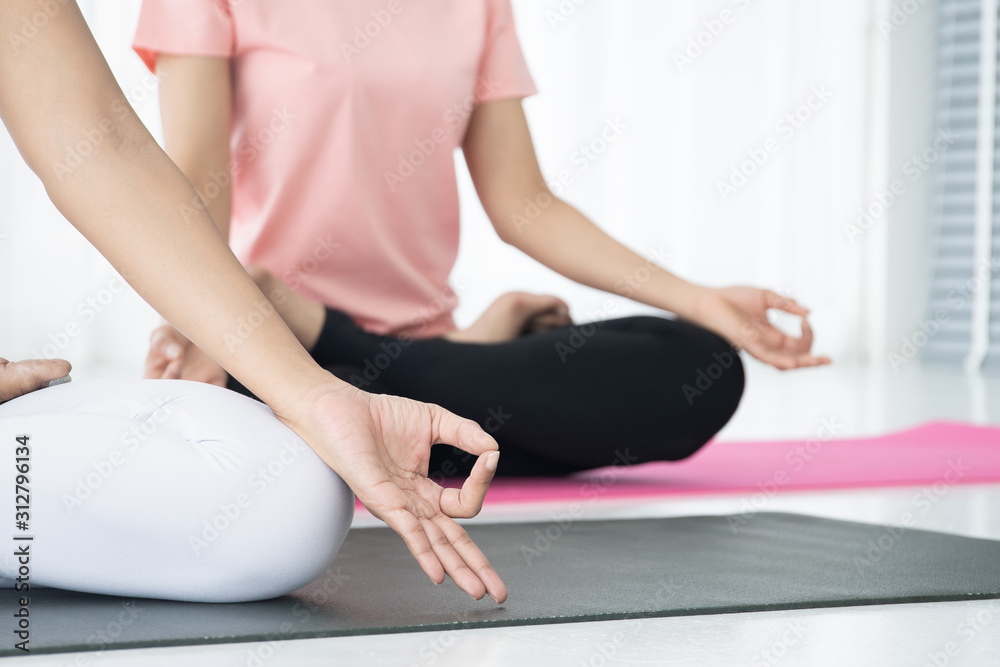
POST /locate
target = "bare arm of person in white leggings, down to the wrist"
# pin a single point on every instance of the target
(106, 174)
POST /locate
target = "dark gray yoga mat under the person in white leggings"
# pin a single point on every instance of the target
(557, 572)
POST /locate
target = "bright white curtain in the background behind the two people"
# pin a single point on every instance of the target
(688, 91)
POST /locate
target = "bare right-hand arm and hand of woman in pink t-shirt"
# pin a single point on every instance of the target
(502, 162)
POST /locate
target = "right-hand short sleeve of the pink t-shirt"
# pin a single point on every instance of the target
(503, 73)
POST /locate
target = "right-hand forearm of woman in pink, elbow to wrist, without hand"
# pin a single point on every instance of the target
(595, 259)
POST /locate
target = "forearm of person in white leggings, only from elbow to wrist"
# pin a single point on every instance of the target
(184, 269)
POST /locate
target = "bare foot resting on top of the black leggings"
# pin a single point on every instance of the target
(515, 314)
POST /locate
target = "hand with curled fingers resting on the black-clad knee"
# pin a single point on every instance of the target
(739, 314)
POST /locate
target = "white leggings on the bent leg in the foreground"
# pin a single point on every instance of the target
(164, 489)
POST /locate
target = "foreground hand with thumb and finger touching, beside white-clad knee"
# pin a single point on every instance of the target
(380, 445)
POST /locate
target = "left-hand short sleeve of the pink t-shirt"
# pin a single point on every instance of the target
(184, 27)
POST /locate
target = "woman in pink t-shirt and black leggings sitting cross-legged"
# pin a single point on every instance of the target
(320, 136)
